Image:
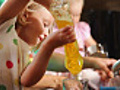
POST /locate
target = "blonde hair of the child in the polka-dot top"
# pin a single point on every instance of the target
(22, 16)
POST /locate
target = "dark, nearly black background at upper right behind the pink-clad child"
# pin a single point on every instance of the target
(103, 17)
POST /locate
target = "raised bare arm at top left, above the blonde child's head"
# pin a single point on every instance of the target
(12, 7)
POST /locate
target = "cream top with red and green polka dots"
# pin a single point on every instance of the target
(14, 56)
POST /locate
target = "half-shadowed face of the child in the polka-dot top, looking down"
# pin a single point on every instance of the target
(40, 22)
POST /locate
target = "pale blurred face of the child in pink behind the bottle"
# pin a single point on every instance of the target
(76, 10)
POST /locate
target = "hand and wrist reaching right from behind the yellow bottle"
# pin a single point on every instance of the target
(104, 64)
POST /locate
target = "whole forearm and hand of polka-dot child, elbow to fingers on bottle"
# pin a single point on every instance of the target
(36, 69)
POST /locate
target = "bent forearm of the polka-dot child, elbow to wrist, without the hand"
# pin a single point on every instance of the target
(34, 72)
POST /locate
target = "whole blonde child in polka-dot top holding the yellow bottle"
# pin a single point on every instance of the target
(16, 52)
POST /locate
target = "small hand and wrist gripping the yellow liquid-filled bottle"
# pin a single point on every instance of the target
(61, 37)
